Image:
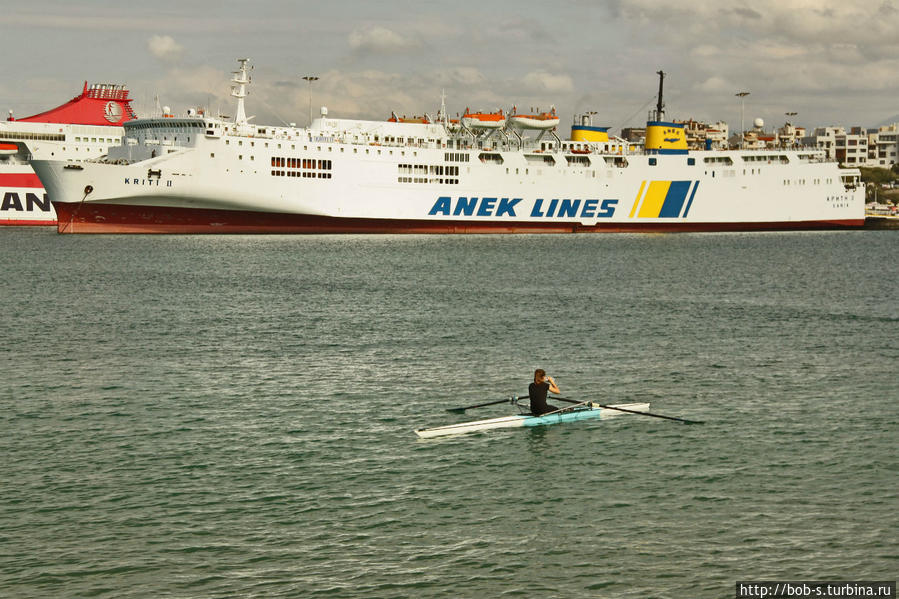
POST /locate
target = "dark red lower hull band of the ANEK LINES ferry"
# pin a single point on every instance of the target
(111, 218)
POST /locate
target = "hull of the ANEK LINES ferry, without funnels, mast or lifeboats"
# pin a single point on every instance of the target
(380, 189)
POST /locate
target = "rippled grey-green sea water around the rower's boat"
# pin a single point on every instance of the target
(232, 416)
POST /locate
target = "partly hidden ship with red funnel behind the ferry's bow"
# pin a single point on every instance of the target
(84, 127)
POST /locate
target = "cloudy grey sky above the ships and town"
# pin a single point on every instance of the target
(831, 61)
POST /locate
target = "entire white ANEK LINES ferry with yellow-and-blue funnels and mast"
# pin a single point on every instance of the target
(488, 173)
